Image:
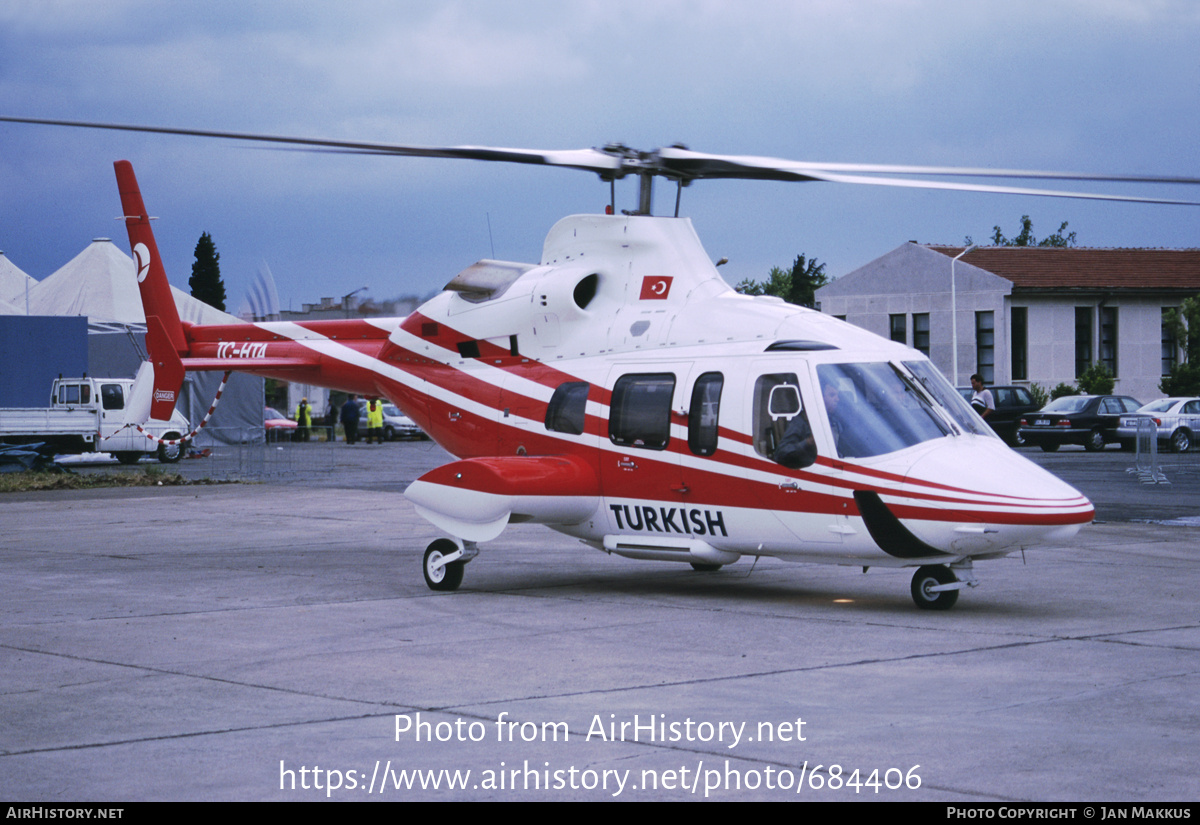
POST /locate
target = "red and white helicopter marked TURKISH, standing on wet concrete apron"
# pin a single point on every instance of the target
(621, 393)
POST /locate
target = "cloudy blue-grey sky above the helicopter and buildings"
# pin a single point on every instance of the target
(1088, 86)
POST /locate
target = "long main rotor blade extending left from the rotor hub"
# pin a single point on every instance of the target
(590, 160)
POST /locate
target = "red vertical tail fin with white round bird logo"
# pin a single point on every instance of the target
(165, 334)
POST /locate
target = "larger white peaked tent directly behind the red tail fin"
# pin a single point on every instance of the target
(101, 284)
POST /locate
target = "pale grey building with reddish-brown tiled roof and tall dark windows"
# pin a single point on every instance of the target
(1025, 315)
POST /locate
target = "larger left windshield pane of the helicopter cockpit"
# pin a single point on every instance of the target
(874, 410)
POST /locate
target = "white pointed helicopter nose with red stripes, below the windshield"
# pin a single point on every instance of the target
(991, 498)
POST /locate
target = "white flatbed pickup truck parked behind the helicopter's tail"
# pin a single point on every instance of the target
(88, 415)
